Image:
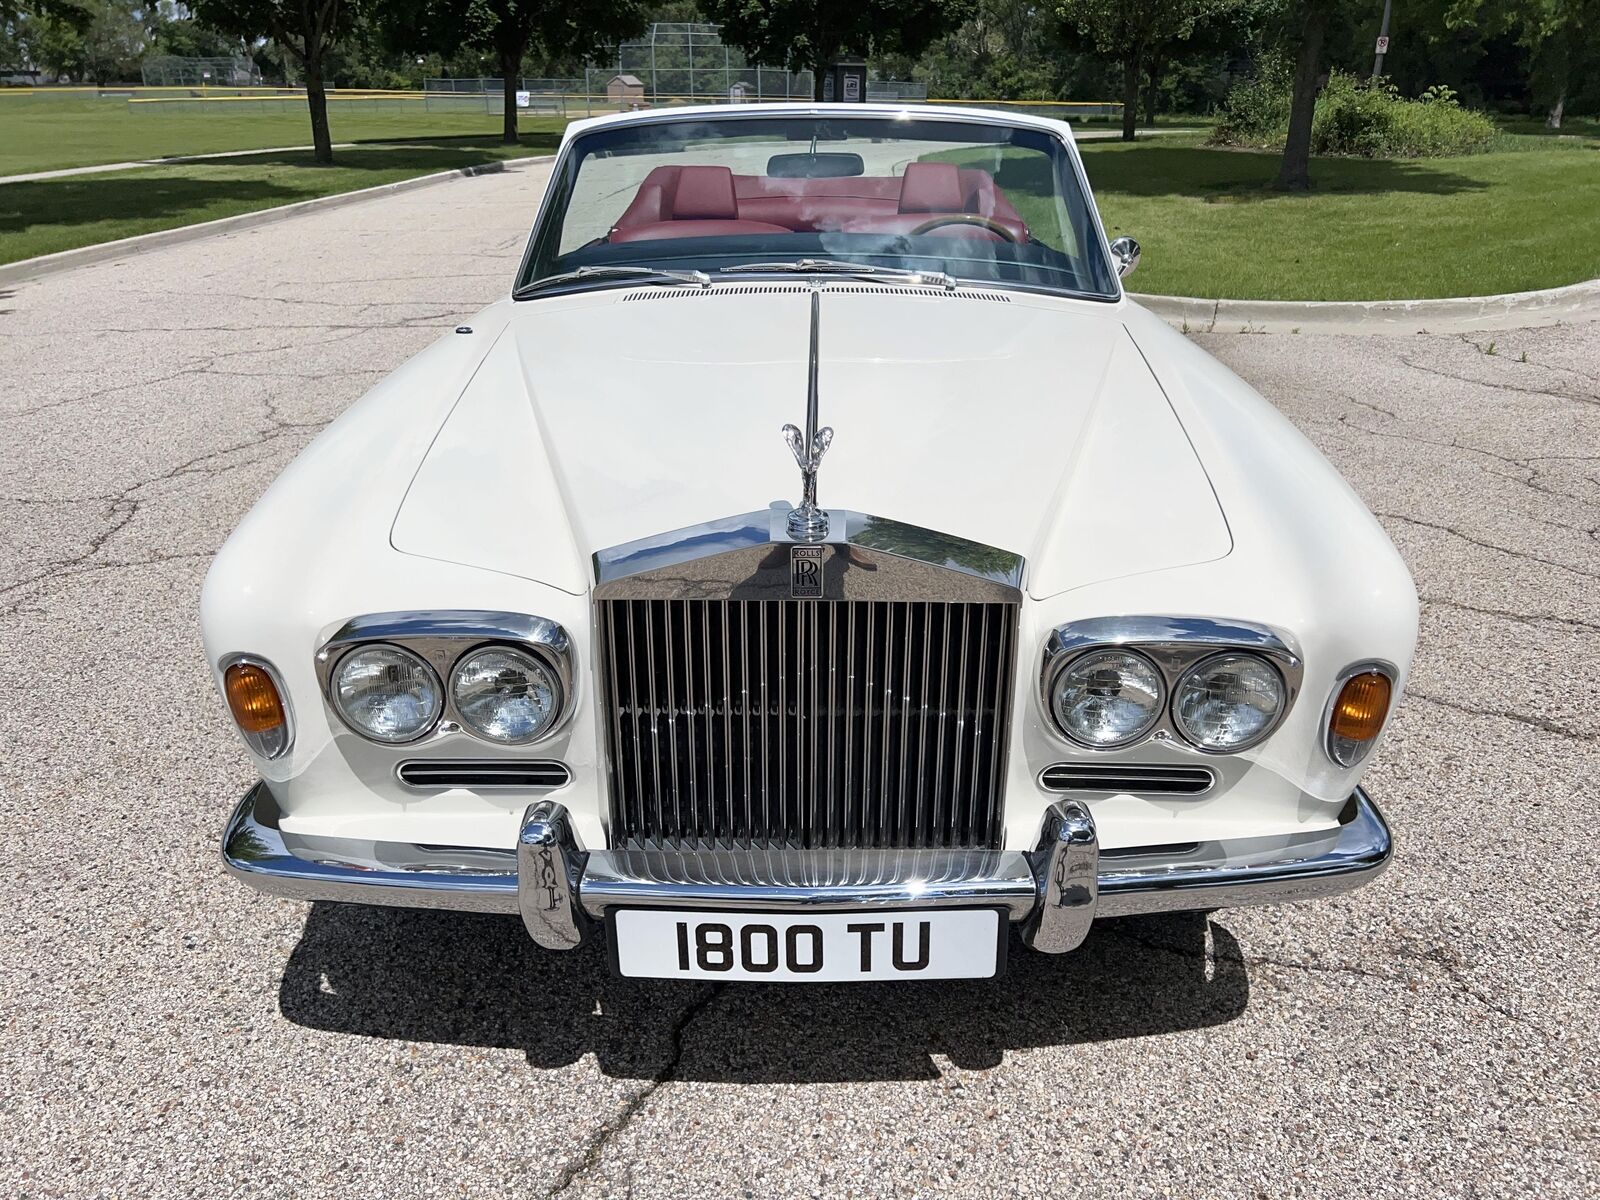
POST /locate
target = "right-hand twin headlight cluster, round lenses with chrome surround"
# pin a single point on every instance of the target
(1169, 674)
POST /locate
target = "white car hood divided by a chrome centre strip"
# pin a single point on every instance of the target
(1023, 423)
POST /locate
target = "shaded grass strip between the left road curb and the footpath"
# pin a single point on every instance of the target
(50, 215)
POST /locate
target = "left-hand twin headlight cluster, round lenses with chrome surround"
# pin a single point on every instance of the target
(430, 668)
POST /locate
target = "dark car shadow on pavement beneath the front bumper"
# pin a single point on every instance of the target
(478, 982)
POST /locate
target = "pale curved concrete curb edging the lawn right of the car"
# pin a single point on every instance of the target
(1513, 310)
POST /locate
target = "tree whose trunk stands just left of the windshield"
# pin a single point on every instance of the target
(511, 30)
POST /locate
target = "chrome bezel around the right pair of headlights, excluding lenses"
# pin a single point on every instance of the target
(1175, 646)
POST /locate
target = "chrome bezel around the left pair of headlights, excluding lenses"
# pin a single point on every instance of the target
(442, 641)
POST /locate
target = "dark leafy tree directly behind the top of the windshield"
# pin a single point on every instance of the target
(812, 34)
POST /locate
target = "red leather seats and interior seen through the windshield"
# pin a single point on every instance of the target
(713, 202)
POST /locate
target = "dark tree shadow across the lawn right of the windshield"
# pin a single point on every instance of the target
(1242, 177)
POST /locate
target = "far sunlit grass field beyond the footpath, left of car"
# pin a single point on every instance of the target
(44, 134)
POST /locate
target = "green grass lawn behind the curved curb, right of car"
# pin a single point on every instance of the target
(1522, 218)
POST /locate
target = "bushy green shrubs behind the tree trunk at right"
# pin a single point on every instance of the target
(1356, 118)
